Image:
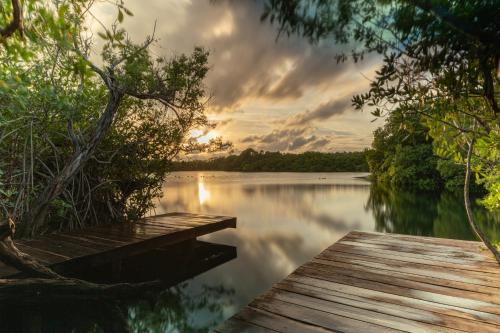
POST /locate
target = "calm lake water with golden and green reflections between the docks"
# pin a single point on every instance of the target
(284, 219)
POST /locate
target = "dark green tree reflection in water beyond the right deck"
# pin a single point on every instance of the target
(429, 214)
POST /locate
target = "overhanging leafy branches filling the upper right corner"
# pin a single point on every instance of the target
(440, 59)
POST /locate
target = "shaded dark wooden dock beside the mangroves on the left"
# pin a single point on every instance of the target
(104, 244)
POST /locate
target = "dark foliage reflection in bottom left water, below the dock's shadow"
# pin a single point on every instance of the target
(172, 310)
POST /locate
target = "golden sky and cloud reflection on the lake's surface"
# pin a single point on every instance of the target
(283, 220)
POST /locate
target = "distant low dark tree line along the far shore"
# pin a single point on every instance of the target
(251, 160)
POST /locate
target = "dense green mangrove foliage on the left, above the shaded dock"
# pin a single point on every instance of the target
(52, 102)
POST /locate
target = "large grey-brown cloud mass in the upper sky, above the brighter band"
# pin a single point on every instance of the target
(246, 59)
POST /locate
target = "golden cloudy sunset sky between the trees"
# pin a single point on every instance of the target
(268, 94)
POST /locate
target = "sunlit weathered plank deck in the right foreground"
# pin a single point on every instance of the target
(373, 282)
